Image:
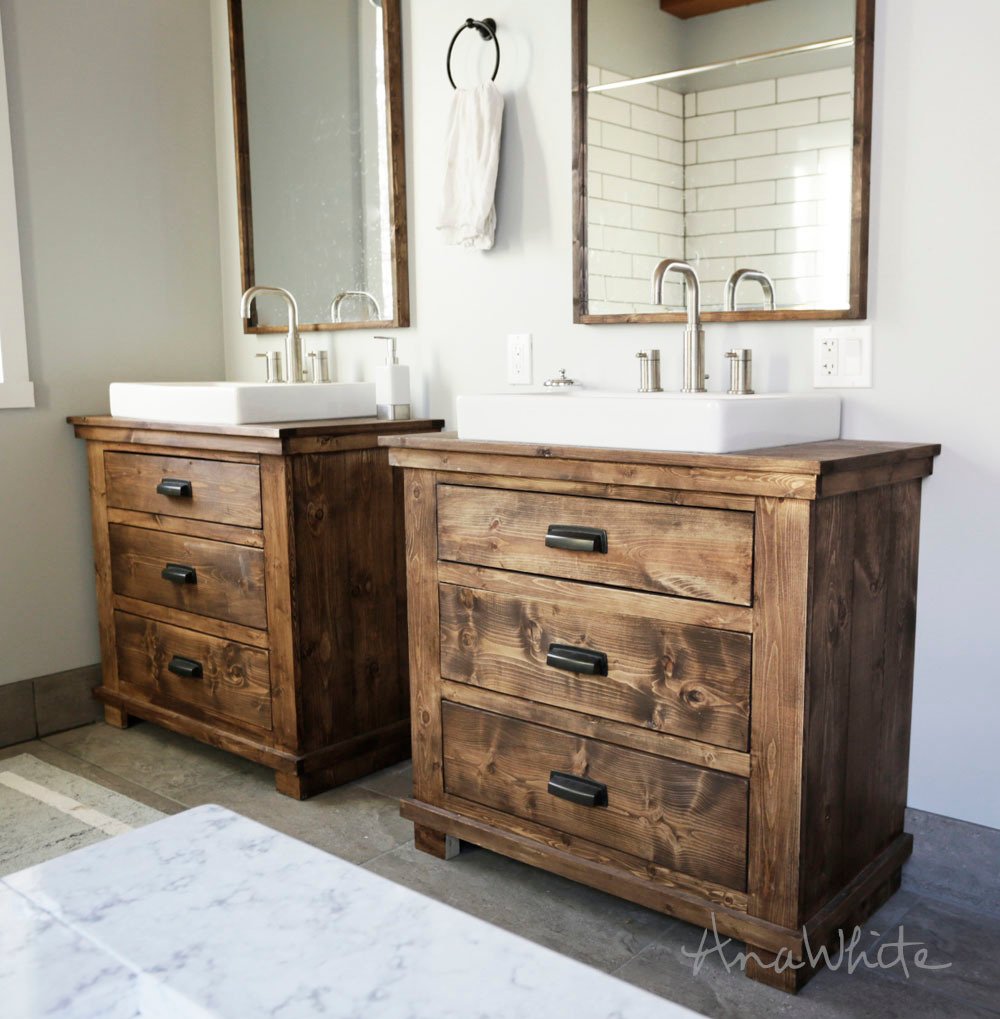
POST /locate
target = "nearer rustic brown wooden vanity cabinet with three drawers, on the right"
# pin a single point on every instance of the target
(683, 679)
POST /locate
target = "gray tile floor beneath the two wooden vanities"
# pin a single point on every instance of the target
(951, 899)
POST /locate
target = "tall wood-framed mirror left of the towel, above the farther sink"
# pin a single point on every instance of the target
(322, 195)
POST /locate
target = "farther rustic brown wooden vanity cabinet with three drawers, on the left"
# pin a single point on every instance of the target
(251, 589)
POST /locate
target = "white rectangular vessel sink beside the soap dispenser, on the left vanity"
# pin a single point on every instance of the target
(241, 403)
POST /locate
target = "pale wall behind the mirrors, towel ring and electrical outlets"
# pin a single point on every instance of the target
(931, 305)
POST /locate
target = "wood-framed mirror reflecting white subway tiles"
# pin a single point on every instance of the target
(736, 149)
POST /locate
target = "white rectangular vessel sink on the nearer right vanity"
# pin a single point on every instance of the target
(683, 422)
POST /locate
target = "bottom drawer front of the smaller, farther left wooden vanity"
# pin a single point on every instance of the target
(235, 684)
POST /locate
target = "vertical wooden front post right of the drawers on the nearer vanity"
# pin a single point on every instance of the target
(781, 585)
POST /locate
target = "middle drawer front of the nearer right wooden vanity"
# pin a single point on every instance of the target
(687, 680)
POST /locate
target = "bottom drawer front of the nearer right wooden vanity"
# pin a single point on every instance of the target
(676, 816)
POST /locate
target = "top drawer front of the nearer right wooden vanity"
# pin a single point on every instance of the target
(690, 554)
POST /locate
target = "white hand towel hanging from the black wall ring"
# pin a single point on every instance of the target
(472, 149)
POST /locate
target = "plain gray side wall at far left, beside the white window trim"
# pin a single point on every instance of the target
(115, 170)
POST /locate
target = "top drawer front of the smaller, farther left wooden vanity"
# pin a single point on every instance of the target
(219, 491)
